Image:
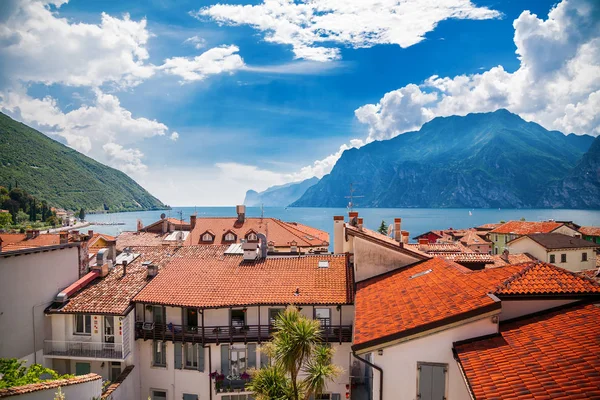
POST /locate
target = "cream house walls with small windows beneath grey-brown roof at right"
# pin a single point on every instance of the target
(570, 259)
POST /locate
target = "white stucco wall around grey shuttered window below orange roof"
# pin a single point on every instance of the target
(399, 362)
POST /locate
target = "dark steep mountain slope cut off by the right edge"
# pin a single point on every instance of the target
(581, 187)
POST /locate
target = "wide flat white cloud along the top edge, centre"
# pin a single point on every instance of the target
(306, 24)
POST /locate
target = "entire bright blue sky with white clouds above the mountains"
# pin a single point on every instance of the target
(262, 111)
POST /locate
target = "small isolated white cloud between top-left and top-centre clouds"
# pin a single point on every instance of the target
(213, 61)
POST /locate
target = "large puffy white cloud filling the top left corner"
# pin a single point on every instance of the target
(37, 45)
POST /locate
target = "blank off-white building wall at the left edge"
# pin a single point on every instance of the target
(28, 284)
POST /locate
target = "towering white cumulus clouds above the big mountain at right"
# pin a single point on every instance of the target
(557, 83)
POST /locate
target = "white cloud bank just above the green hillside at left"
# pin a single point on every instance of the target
(99, 129)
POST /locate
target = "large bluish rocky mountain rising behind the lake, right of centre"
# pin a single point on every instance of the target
(480, 160)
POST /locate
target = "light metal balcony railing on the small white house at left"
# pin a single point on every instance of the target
(100, 350)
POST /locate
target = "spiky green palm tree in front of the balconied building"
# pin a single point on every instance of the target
(296, 349)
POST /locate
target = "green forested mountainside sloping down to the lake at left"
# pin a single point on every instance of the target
(60, 175)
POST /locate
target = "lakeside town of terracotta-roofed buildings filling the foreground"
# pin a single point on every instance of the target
(186, 308)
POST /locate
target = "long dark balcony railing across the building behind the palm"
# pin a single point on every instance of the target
(227, 334)
